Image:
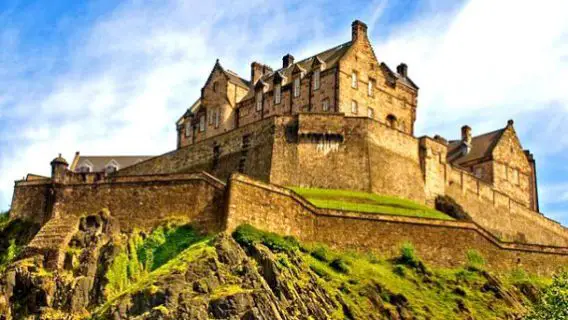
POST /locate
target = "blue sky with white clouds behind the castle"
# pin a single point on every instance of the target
(112, 77)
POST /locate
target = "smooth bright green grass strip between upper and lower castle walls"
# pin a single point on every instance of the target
(367, 202)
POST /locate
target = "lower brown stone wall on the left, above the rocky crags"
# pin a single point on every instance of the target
(136, 201)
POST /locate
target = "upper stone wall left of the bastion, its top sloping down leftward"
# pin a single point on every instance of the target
(201, 155)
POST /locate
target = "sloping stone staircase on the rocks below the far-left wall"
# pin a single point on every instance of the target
(52, 240)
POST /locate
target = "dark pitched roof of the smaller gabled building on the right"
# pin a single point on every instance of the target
(481, 147)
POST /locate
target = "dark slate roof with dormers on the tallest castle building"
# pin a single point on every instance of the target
(329, 57)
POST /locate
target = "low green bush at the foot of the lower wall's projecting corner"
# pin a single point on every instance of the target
(247, 236)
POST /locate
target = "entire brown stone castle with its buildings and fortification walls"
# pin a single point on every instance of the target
(339, 119)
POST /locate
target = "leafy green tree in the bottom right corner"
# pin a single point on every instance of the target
(553, 304)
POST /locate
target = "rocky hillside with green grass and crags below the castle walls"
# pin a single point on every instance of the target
(173, 272)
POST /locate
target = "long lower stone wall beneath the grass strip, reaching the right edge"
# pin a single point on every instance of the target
(443, 243)
